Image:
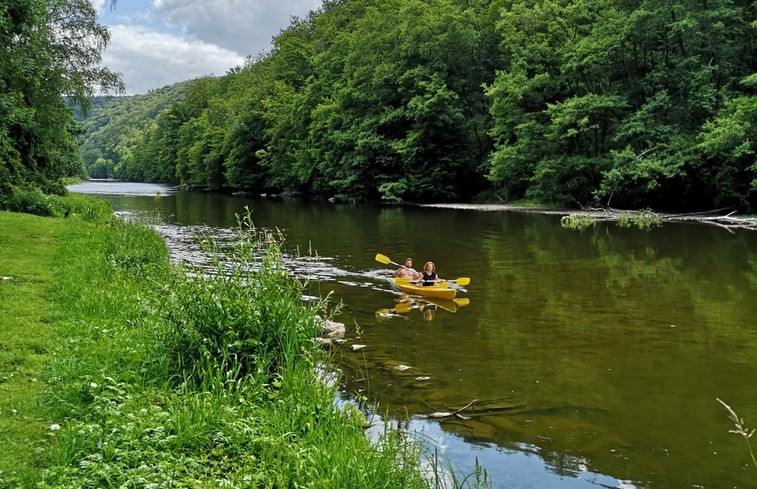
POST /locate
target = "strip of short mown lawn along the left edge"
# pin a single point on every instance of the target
(28, 332)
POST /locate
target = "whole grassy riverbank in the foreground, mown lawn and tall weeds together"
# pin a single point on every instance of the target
(119, 370)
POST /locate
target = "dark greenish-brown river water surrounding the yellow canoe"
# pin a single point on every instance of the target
(595, 357)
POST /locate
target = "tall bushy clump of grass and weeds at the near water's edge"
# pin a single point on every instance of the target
(233, 316)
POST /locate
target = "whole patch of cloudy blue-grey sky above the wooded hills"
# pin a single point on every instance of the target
(155, 43)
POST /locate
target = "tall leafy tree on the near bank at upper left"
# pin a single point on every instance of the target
(51, 49)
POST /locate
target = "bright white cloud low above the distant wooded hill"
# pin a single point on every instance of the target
(149, 59)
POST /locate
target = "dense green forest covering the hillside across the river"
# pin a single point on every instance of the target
(571, 102)
